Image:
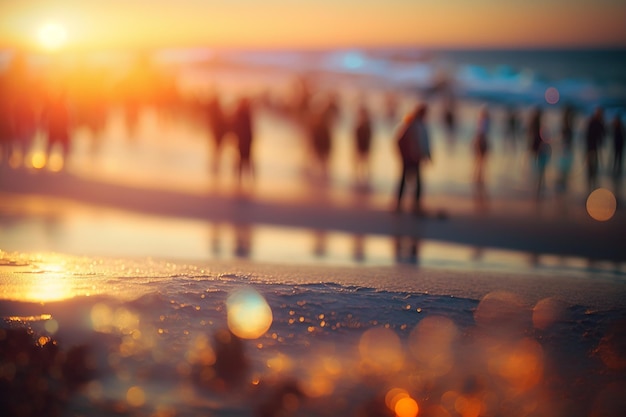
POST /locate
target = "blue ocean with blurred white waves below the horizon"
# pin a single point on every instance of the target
(583, 77)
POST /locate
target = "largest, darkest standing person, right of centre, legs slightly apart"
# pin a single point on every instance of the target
(414, 146)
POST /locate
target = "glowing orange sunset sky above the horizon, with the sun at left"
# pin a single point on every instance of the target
(114, 24)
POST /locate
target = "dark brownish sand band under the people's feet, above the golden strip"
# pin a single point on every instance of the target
(535, 227)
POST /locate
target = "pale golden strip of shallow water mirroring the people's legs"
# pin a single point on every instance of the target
(46, 225)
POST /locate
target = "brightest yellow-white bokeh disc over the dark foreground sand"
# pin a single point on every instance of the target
(249, 315)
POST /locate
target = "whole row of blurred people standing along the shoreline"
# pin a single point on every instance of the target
(55, 101)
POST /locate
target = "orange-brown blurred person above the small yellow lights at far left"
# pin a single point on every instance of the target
(57, 123)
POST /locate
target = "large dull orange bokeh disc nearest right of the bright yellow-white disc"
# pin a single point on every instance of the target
(381, 350)
